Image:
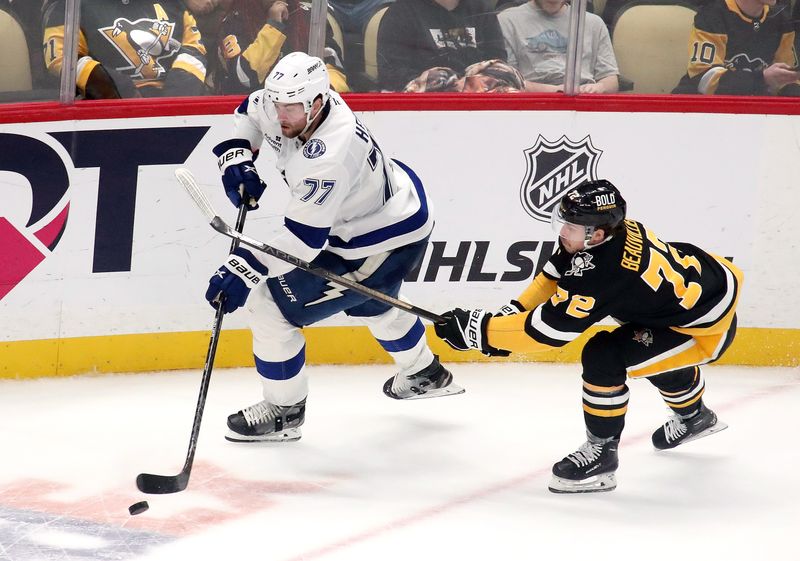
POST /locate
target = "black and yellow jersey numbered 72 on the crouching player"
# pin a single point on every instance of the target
(633, 278)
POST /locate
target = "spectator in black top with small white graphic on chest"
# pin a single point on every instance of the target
(420, 35)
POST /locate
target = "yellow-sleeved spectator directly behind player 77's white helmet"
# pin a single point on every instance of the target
(254, 34)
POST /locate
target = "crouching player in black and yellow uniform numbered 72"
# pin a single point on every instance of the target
(676, 305)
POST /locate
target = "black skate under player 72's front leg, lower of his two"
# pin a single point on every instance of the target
(589, 469)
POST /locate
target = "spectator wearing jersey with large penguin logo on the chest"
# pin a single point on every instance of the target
(130, 49)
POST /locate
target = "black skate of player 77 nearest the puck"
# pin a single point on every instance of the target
(265, 422)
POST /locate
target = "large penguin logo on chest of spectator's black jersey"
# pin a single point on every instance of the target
(144, 43)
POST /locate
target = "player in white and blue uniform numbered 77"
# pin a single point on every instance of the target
(352, 212)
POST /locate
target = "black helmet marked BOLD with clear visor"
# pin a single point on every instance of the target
(596, 204)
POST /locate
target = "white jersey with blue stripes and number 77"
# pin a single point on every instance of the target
(345, 196)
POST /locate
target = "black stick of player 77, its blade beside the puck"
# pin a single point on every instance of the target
(162, 484)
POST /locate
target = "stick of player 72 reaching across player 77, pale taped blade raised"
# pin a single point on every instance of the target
(220, 226)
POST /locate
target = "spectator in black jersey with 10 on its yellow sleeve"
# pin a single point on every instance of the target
(742, 47)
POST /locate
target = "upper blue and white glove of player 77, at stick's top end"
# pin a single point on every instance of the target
(239, 175)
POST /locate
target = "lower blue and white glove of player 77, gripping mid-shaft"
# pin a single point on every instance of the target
(233, 280)
